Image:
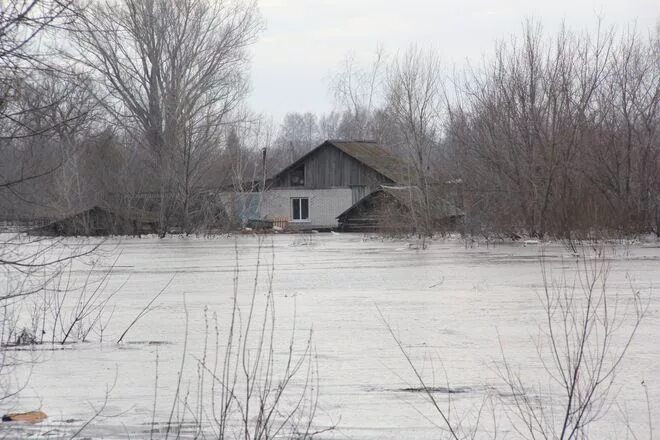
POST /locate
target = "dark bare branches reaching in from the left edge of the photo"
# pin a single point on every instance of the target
(26, 101)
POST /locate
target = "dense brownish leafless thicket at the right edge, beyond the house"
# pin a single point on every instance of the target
(549, 124)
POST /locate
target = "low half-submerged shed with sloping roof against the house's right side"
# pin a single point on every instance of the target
(393, 209)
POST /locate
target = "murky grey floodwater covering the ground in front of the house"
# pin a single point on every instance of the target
(457, 311)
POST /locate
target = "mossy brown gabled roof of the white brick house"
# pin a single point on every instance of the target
(368, 153)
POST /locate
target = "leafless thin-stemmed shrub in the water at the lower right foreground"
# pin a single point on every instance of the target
(586, 330)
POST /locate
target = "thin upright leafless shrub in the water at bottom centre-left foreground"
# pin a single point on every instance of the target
(248, 385)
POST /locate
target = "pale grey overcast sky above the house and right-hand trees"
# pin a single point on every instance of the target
(305, 41)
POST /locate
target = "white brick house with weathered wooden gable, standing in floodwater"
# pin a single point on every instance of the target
(312, 191)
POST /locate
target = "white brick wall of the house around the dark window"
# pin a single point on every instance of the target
(324, 205)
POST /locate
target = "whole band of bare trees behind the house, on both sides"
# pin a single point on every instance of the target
(551, 135)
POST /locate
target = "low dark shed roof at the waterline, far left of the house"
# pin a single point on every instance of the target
(101, 221)
